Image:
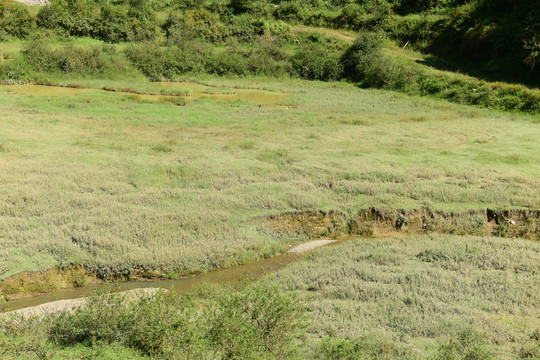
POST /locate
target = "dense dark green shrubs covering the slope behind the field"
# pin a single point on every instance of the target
(257, 38)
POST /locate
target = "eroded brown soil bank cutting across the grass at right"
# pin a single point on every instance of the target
(384, 222)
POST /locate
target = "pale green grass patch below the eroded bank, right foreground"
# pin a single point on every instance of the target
(416, 293)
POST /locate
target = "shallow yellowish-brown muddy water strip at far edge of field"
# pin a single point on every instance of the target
(192, 92)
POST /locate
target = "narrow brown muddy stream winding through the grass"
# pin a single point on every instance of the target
(234, 277)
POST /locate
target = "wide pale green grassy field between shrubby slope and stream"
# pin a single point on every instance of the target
(116, 182)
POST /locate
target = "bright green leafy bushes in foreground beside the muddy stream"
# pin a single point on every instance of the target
(260, 321)
